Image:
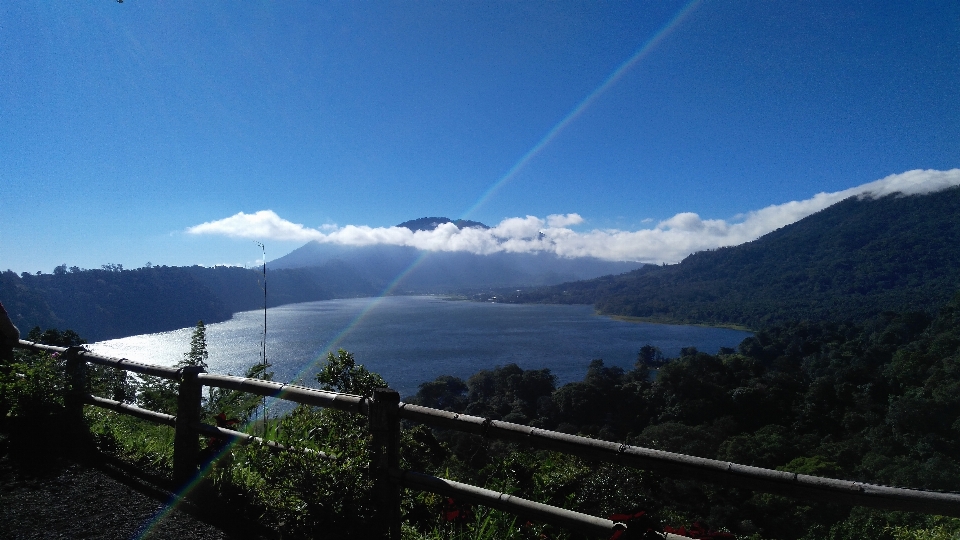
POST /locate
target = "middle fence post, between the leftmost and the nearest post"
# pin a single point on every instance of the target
(186, 443)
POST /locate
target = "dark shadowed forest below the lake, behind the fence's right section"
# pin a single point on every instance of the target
(876, 402)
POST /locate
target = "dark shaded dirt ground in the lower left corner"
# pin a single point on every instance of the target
(47, 493)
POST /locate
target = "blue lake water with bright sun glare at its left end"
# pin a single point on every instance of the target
(413, 339)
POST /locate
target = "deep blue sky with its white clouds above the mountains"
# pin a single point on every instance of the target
(124, 128)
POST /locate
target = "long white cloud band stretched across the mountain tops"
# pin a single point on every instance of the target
(669, 241)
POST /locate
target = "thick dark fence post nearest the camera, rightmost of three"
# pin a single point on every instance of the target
(385, 454)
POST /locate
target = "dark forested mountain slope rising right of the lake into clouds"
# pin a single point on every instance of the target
(847, 262)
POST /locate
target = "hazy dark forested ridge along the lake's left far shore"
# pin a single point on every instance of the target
(113, 302)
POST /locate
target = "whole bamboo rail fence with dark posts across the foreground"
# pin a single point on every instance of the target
(385, 412)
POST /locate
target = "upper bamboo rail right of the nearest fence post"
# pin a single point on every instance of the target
(710, 470)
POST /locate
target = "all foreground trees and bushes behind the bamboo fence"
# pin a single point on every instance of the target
(876, 402)
